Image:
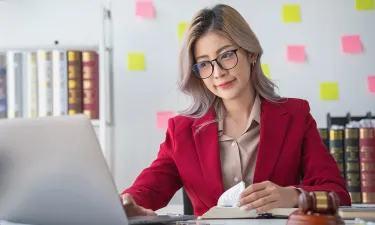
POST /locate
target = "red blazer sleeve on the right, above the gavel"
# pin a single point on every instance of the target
(319, 169)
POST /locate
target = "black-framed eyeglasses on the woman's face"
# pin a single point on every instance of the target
(226, 61)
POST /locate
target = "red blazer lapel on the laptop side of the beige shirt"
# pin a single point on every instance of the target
(206, 141)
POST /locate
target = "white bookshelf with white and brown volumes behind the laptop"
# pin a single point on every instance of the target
(32, 89)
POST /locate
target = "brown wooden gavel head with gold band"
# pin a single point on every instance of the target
(319, 202)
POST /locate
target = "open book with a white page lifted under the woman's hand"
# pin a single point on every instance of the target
(227, 209)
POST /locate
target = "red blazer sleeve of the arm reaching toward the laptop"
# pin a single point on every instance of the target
(156, 185)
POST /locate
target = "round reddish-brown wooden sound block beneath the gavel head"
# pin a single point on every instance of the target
(300, 218)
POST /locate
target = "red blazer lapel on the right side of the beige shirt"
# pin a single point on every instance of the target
(274, 126)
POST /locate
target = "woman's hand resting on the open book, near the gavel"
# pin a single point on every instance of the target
(266, 196)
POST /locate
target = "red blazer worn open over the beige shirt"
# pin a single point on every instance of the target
(291, 153)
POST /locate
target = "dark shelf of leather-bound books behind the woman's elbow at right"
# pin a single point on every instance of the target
(349, 138)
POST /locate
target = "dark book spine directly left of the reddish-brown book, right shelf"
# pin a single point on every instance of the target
(352, 166)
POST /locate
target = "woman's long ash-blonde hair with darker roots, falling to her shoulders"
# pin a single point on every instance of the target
(228, 22)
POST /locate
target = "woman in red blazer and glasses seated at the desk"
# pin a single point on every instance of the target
(236, 129)
